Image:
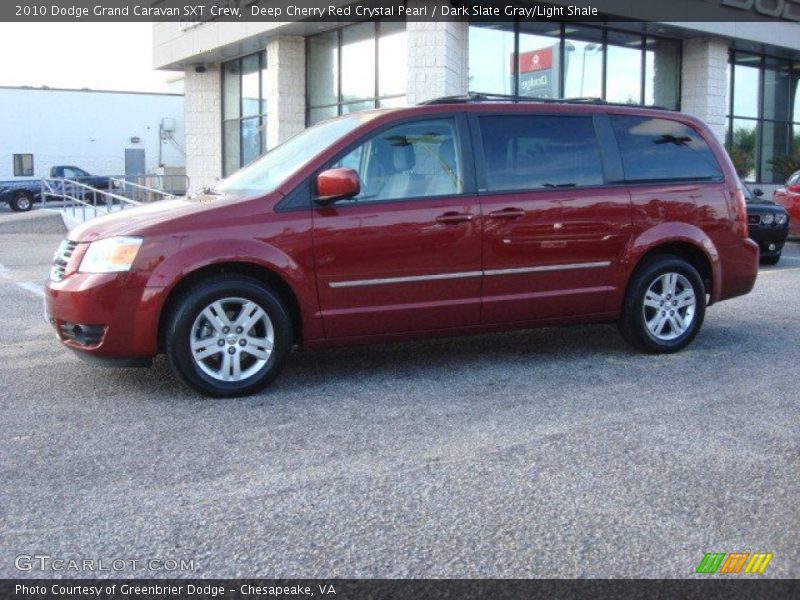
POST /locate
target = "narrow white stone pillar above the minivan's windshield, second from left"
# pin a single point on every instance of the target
(285, 88)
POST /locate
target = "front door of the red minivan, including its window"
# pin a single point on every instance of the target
(405, 254)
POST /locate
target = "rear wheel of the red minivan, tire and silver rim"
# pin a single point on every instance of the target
(676, 283)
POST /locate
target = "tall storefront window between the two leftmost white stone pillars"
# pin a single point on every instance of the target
(244, 111)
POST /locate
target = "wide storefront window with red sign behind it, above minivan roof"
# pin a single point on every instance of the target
(566, 60)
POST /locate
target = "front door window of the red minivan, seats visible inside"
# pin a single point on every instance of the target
(412, 160)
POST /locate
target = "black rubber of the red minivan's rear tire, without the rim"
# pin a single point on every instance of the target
(633, 307)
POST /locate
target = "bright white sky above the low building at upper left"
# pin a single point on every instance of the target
(100, 56)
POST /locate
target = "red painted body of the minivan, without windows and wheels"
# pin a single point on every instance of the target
(308, 250)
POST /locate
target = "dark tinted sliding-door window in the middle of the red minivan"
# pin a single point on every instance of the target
(540, 152)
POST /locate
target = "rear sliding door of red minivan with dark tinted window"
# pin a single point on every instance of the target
(552, 231)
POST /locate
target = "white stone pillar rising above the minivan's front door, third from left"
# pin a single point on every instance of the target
(437, 59)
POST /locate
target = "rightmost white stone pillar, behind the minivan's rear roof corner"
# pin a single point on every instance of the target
(704, 81)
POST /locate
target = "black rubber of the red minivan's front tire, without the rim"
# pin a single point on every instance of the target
(195, 300)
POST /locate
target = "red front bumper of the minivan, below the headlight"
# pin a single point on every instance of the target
(100, 316)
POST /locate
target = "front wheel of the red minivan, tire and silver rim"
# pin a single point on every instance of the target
(215, 316)
